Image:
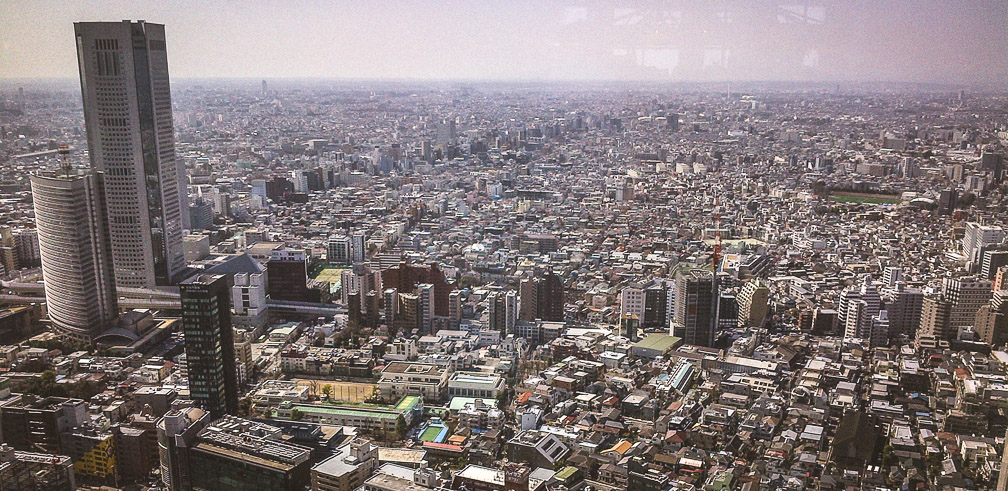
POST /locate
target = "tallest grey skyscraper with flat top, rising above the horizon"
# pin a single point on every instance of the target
(128, 113)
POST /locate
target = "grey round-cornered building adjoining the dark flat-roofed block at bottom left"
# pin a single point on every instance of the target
(177, 433)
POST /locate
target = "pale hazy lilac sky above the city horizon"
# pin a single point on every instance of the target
(926, 41)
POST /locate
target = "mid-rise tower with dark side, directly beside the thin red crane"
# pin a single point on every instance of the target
(695, 317)
